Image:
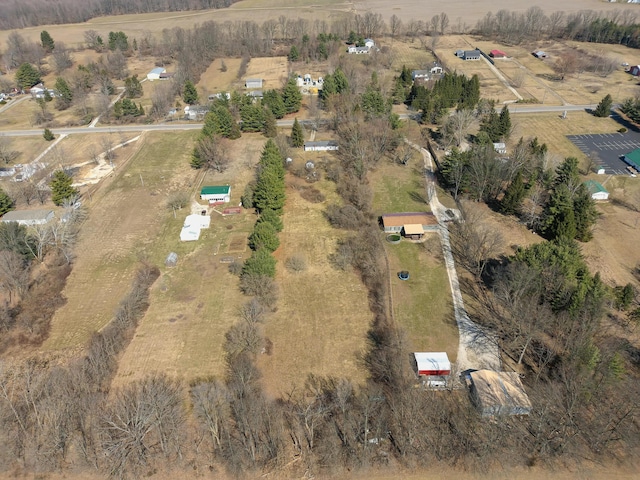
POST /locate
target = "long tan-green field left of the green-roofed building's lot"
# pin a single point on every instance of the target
(125, 219)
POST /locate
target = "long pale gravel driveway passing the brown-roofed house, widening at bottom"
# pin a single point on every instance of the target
(476, 350)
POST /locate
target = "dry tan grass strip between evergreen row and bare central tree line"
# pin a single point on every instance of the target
(323, 314)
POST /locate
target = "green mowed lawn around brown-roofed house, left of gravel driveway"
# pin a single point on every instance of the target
(422, 305)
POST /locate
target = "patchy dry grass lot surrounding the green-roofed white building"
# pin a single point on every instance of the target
(193, 305)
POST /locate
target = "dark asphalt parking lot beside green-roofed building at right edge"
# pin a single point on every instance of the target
(609, 147)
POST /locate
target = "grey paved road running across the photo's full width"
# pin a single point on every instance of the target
(513, 109)
